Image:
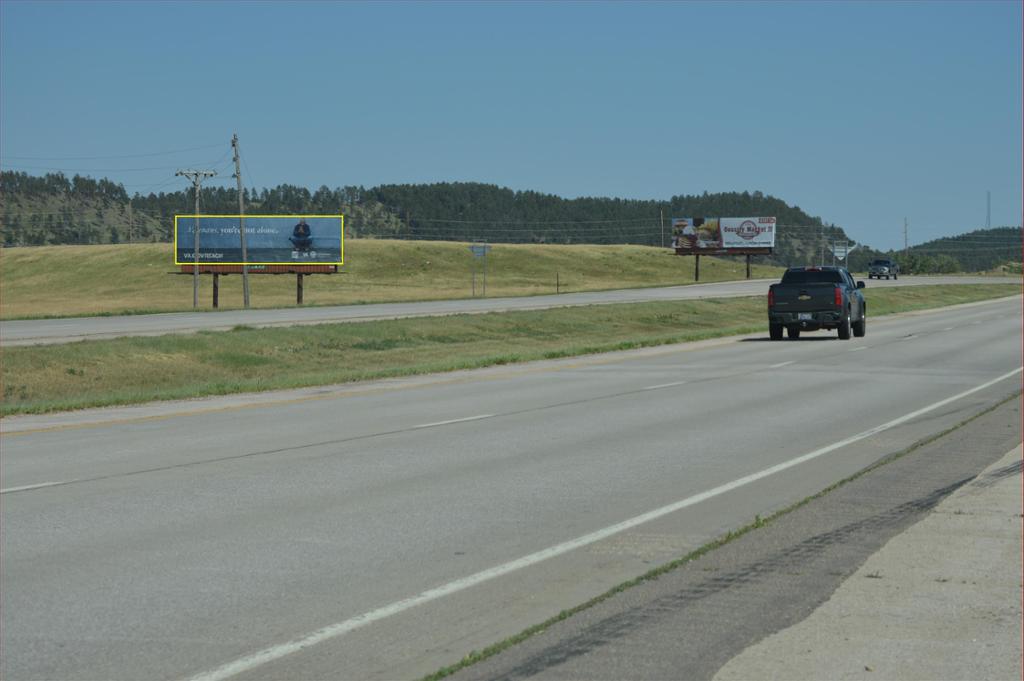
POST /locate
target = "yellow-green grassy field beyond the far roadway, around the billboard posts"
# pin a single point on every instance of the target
(75, 281)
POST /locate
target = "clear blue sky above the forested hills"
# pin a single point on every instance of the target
(861, 113)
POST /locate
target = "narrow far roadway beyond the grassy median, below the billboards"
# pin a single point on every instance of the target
(33, 332)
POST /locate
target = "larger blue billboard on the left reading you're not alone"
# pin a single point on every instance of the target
(271, 240)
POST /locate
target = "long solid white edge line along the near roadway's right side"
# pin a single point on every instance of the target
(333, 631)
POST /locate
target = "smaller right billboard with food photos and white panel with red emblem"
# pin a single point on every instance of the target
(722, 236)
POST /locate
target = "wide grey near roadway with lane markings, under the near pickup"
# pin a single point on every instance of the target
(385, 531)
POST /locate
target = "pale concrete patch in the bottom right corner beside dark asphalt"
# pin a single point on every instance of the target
(941, 602)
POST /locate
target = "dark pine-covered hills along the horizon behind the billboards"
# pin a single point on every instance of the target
(54, 209)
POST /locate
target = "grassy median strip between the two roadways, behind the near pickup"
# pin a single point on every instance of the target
(136, 370)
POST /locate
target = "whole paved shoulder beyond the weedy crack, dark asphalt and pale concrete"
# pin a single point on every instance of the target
(692, 621)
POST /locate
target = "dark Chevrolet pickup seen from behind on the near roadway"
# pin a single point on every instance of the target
(813, 299)
